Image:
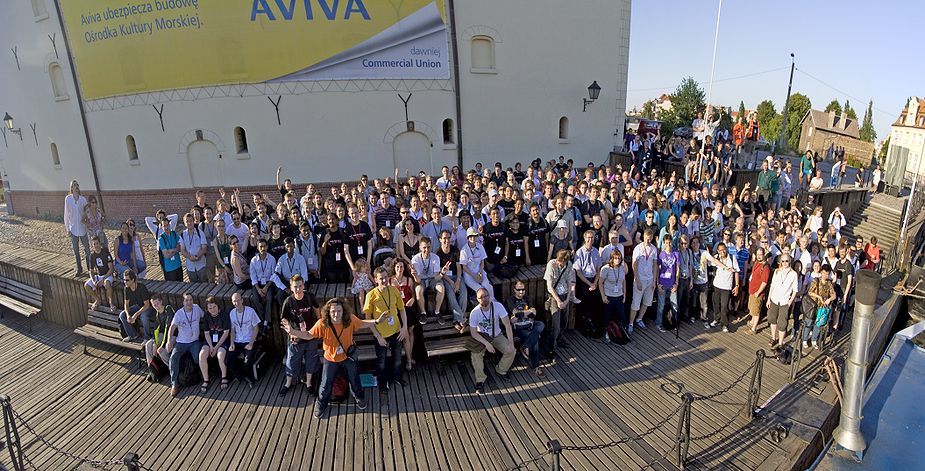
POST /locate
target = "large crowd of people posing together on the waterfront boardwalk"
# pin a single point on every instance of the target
(624, 248)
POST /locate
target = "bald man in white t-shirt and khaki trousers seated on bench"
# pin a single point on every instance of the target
(485, 322)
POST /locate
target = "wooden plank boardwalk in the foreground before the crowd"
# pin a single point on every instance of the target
(99, 406)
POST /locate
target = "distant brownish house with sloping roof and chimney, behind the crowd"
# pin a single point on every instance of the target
(821, 130)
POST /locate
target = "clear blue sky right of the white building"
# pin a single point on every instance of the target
(865, 50)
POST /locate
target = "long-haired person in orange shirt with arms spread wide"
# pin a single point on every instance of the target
(335, 329)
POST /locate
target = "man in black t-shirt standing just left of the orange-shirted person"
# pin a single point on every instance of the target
(301, 311)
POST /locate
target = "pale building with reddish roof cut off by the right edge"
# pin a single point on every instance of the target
(907, 137)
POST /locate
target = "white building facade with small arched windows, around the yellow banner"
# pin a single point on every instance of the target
(524, 70)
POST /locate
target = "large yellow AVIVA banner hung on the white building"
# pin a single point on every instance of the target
(127, 47)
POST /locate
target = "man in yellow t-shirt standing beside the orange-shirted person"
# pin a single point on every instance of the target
(386, 300)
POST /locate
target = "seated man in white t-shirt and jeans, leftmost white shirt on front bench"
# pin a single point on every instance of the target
(182, 338)
